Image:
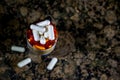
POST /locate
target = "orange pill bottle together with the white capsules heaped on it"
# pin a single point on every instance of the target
(44, 38)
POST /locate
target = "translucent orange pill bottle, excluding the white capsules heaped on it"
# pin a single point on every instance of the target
(42, 49)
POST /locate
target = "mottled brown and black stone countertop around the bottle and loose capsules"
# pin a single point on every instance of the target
(88, 47)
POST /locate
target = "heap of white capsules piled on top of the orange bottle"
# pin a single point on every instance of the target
(43, 30)
